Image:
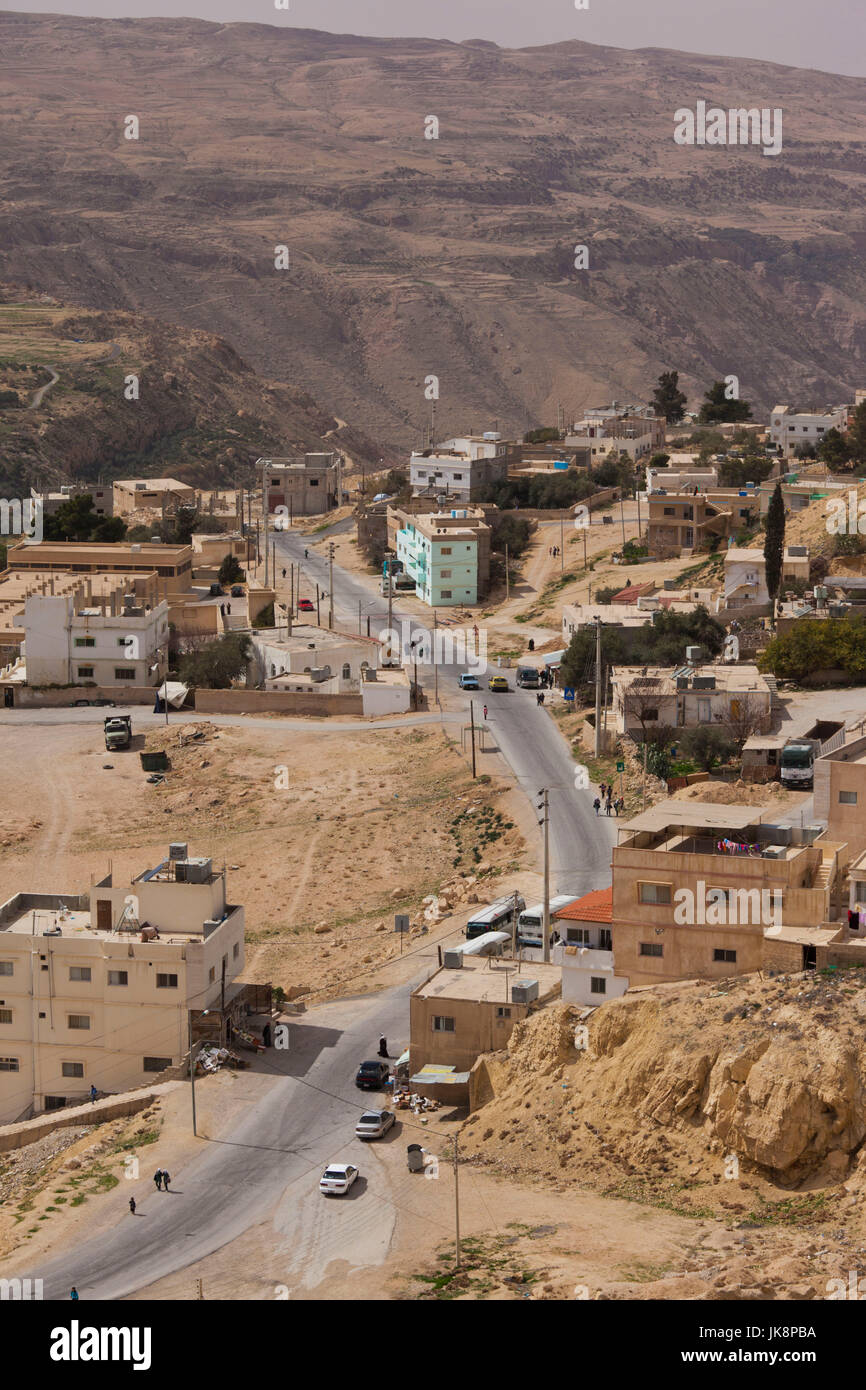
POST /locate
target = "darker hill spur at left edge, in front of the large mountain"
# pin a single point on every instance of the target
(198, 411)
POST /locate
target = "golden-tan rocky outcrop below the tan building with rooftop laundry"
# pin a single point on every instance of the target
(682, 1086)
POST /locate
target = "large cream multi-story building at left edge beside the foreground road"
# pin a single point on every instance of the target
(99, 989)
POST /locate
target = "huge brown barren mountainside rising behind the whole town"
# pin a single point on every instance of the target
(451, 256)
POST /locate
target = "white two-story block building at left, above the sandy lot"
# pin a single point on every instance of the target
(122, 643)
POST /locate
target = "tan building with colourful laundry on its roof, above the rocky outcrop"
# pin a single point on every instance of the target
(696, 889)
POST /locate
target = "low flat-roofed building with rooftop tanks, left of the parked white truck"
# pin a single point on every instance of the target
(646, 698)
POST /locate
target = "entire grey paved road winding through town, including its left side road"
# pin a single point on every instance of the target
(286, 1139)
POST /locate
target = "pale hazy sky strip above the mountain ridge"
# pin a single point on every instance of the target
(810, 34)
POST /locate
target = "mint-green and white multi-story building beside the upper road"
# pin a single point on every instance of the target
(447, 554)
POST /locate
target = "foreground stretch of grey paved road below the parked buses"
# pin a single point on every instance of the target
(277, 1152)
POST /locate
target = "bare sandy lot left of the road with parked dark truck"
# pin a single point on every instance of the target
(325, 837)
